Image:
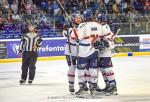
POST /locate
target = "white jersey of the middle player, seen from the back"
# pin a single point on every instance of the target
(88, 32)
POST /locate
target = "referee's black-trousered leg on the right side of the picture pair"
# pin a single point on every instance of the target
(32, 67)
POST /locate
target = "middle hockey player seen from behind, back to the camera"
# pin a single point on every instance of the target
(88, 32)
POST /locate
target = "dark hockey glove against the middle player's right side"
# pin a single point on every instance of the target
(101, 44)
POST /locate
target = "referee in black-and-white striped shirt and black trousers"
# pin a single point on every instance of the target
(28, 49)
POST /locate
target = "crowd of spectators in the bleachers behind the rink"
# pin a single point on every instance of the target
(48, 16)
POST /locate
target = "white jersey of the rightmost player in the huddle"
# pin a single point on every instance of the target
(106, 52)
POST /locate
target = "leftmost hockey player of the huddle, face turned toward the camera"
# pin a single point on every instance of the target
(71, 49)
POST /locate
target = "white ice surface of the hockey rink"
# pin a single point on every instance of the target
(50, 84)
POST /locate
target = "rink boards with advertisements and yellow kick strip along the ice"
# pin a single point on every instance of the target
(53, 48)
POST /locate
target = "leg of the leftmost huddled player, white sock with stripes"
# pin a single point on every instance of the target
(71, 72)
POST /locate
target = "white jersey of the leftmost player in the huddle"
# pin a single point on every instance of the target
(71, 45)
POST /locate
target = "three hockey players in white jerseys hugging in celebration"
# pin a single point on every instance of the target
(88, 51)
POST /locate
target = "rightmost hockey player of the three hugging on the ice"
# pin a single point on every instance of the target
(105, 62)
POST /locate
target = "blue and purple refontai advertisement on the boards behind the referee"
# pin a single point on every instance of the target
(50, 47)
